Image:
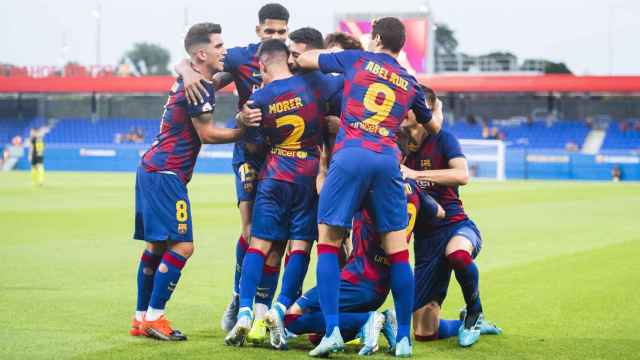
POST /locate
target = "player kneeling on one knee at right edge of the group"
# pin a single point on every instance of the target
(441, 245)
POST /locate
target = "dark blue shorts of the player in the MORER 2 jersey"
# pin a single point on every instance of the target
(285, 211)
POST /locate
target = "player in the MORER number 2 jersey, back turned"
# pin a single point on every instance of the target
(286, 201)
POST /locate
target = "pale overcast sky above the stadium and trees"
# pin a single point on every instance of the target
(591, 37)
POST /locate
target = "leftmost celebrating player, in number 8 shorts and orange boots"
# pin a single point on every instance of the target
(163, 213)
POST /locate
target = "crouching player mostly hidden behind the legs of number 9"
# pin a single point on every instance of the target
(365, 281)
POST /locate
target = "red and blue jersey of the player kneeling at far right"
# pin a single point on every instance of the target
(434, 154)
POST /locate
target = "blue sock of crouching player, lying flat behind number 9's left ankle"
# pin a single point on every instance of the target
(313, 322)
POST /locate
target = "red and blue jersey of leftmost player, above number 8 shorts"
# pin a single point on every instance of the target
(177, 144)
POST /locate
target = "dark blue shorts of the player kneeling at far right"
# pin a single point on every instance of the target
(432, 271)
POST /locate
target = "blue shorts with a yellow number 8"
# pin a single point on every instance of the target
(163, 211)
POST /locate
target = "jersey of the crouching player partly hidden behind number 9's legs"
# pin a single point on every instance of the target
(368, 264)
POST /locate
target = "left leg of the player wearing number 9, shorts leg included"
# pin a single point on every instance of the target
(346, 184)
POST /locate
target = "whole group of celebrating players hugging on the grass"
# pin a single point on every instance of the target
(328, 138)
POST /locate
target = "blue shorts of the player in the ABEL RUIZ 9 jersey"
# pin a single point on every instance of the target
(360, 177)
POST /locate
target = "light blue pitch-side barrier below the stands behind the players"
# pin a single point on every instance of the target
(519, 163)
